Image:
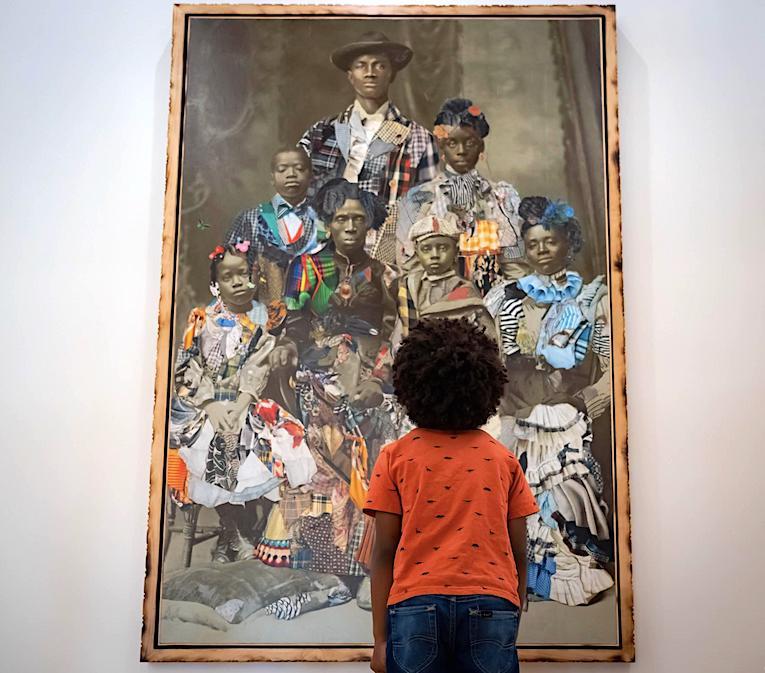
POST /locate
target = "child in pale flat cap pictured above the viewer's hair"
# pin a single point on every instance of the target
(434, 289)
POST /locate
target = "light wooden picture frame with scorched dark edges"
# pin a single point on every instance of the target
(153, 648)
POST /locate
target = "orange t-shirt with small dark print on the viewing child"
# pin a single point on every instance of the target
(455, 492)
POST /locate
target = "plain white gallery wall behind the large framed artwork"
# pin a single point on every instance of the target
(83, 114)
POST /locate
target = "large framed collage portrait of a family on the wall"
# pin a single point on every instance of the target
(312, 150)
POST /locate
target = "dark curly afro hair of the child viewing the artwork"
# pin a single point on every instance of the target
(448, 375)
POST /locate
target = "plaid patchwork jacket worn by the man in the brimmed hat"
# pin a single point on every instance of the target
(403, 154)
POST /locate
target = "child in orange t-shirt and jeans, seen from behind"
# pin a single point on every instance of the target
(449, 561)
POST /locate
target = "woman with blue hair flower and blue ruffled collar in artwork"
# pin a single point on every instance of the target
(554, 332)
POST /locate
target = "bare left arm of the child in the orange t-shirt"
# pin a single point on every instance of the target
(387, 536)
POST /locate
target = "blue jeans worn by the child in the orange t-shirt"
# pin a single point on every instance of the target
(459, 634)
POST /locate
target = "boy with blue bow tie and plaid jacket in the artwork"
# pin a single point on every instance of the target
(283, 227)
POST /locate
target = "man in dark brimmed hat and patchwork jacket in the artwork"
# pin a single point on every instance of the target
(371, 143)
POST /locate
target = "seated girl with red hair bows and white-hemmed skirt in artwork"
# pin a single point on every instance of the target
(221, 371)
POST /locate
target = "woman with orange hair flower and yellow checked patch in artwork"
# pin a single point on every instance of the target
(489, 245)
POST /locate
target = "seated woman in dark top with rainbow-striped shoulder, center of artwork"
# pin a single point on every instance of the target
(341, 313)
